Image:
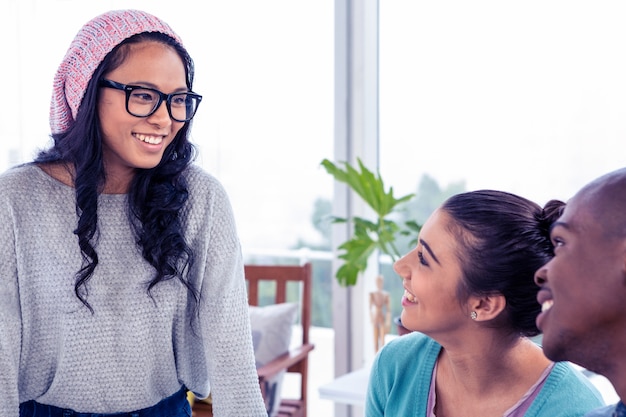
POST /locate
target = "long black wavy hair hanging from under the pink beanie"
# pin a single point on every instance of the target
(156, 196)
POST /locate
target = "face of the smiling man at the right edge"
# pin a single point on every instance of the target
(583, 288)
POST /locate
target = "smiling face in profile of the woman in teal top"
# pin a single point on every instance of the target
(431, 274)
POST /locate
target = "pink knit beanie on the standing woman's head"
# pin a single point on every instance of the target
(88, 49)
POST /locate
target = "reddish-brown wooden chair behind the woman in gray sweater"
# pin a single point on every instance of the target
(296, 360)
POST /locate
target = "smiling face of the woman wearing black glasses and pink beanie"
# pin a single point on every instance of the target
(131, 142)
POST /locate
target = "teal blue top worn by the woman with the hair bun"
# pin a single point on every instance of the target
(401, 373)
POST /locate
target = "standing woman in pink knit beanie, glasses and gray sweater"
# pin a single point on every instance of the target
(121, 275)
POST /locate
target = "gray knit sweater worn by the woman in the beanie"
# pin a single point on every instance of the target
(133, 350)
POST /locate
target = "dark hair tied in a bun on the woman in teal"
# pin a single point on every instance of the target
(503, 240)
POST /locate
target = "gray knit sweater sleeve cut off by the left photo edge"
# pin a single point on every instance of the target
(10, 317)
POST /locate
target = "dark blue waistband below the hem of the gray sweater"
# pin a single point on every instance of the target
(173, 406)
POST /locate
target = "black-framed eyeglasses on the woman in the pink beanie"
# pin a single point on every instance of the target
(144, 101)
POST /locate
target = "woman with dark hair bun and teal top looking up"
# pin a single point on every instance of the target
(471, 301)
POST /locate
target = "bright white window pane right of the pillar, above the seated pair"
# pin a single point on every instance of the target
(528, 97)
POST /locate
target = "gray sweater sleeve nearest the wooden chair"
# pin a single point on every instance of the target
(224, 318)
